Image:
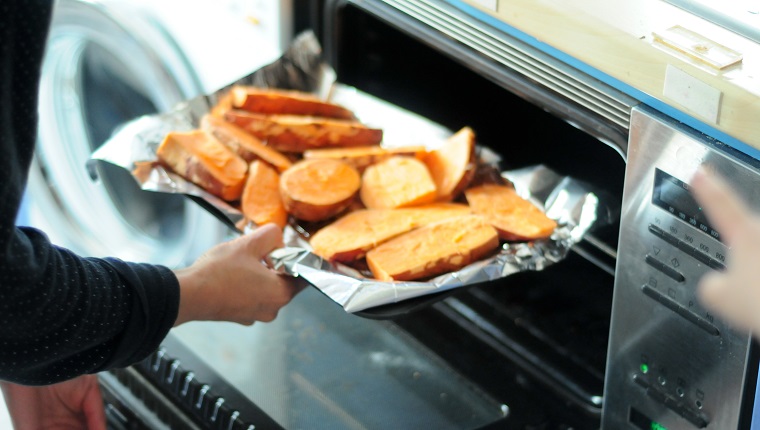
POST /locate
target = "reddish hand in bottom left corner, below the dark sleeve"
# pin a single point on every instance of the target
(74, 404)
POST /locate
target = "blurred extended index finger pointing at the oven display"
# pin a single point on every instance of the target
(726, 211)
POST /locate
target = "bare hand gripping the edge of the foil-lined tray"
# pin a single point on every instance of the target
(230, 282)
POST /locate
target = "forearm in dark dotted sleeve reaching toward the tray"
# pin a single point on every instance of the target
(62, 315)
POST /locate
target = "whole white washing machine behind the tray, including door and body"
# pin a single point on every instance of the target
(109, 61)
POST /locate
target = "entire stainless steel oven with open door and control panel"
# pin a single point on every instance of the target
(612, 337)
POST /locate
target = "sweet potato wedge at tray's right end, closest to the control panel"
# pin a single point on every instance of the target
(513, 216)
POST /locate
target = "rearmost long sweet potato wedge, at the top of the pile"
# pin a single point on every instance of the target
(277, 101)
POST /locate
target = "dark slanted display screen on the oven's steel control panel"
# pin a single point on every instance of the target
(674, 196)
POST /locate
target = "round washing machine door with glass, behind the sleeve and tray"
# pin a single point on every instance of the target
(106, 64)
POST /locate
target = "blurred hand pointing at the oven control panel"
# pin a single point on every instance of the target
(734, 293)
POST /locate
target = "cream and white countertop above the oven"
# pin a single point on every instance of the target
(613, 41)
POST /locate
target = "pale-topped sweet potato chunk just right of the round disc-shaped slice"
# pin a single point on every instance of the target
(397, 182)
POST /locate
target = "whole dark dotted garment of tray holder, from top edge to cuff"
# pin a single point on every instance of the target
(61, 315)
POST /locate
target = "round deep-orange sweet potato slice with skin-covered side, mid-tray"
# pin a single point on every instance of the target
(315, 190)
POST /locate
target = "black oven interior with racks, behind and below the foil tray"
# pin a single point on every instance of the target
(537, 340)
